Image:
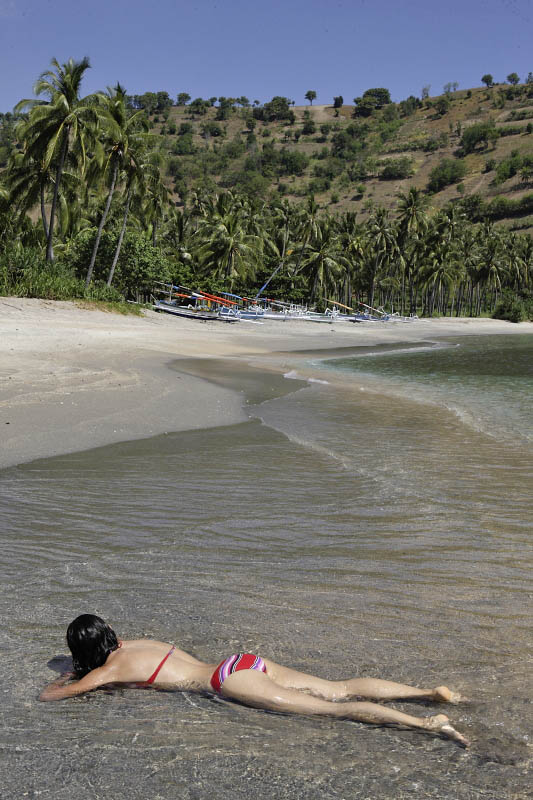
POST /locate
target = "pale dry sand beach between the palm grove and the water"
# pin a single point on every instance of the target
(72, 379)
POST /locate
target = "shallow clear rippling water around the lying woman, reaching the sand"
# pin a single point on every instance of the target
(364, 525)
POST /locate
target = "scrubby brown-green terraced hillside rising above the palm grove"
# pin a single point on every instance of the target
(352, 163)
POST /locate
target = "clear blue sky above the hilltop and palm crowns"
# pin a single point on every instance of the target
(261, 49)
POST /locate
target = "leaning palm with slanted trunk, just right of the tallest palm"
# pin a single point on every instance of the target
(120, 141)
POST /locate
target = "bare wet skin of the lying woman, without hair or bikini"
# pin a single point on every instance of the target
(279, 689)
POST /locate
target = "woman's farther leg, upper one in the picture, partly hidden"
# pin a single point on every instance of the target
(372, 688)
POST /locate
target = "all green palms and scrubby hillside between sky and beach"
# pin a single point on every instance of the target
(99, 201)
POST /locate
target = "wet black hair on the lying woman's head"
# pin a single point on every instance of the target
(90, 640)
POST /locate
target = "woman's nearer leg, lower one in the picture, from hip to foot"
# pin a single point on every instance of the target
(256, 689)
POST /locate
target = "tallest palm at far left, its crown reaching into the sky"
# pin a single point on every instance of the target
(57, 125)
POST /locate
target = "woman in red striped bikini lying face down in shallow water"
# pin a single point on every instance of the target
(99, 658)
